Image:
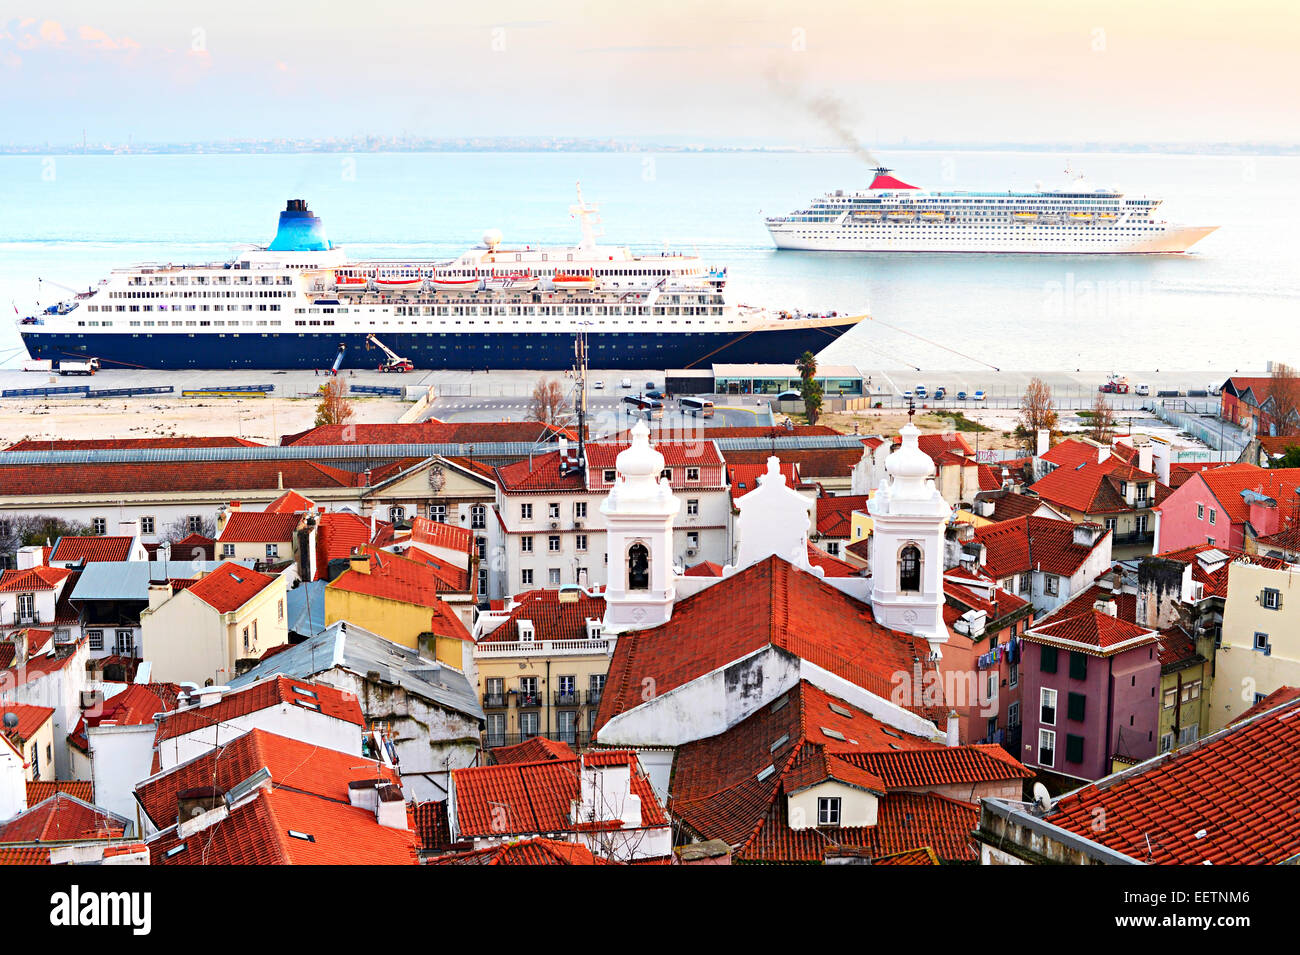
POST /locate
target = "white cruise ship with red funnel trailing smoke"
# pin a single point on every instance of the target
(892, 216)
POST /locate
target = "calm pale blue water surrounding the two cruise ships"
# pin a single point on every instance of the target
(72, 219)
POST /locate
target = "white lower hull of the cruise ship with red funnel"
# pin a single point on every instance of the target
(1017, 240)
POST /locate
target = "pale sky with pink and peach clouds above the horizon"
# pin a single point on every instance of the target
(747, 72)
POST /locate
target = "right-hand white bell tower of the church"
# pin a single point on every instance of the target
(908, 516)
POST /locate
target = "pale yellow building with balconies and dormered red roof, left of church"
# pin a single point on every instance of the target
(541, 667)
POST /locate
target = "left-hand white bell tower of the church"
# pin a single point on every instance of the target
(639, 518)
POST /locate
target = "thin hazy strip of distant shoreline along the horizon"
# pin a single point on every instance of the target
(587, 146)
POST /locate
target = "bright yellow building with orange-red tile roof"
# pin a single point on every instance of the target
(402, 601)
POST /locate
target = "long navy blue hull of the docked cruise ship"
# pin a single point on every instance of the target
(540, 351)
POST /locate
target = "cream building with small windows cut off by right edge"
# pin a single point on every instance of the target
(1260, 645)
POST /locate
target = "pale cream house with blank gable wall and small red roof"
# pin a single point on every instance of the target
(210, 630)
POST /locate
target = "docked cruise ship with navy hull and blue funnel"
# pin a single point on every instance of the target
(304, 303)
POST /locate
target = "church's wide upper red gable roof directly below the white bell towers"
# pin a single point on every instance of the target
(770, 604)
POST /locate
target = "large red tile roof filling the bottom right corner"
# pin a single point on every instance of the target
(1172, 811)
